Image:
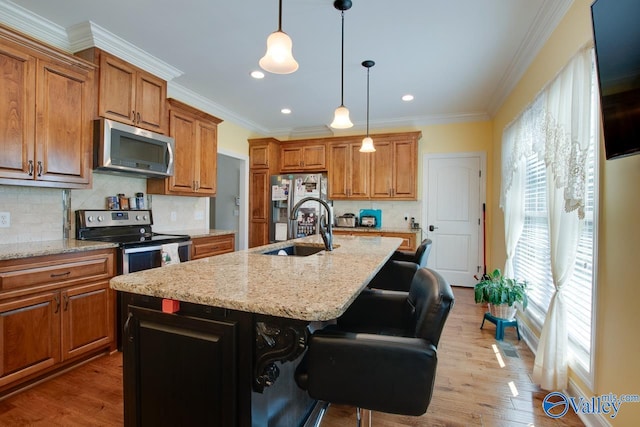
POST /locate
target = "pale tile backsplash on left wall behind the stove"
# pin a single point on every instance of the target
(38, 214)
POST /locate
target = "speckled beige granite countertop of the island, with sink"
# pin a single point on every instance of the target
(313, 288)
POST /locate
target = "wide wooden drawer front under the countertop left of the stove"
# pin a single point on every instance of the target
(55, 269)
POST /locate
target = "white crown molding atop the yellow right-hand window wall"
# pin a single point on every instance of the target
(546, 21)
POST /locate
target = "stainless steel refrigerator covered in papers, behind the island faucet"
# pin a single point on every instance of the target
(286, 191)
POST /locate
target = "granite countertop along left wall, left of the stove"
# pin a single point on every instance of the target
(50, 247)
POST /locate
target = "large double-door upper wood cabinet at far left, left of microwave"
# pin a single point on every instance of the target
(45, 115)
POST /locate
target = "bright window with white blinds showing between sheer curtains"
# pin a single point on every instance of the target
(532, 255)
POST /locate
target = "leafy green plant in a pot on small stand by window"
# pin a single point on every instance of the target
(501, 294)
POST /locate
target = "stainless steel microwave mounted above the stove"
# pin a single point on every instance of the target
(129, 150)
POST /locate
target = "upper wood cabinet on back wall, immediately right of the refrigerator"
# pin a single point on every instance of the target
(348, 171)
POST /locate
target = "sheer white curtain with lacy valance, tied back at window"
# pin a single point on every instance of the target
(556, 127)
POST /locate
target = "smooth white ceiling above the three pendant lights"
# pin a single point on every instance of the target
(459, 58)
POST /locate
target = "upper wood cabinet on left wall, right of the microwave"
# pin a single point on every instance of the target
(195, 160)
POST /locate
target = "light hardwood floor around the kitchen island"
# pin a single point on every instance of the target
(472, 388)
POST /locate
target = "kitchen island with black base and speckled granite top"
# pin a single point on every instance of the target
(226, 357)
